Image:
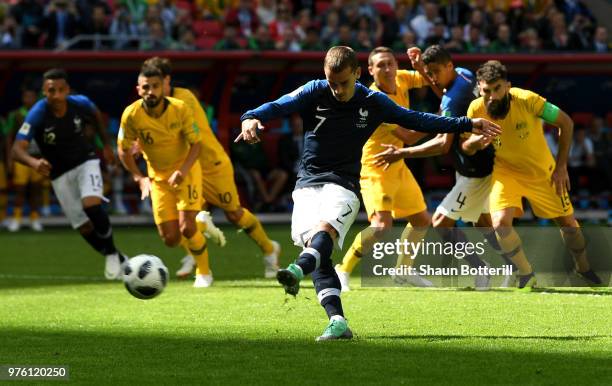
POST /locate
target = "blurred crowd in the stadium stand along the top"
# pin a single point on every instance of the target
(300, 25)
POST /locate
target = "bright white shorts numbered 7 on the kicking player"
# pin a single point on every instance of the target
(330, 203)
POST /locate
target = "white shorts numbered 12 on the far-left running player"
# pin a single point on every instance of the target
(71, 187)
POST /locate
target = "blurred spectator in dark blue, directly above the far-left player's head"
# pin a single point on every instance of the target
(61, 23)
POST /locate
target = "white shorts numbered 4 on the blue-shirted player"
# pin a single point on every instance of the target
(468, 199)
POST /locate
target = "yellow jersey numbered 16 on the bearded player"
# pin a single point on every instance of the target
(165, 141)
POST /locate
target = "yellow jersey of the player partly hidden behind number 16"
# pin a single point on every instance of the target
(212, 153)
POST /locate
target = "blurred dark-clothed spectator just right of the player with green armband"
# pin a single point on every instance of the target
(581, 162)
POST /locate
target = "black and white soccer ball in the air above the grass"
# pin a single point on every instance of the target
(145, 276)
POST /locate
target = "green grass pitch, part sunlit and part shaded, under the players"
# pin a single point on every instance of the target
(55, 309)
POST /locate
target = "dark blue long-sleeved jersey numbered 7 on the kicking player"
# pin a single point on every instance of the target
(335, 132)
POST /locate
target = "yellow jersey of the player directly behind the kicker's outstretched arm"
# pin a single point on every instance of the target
(404, 80)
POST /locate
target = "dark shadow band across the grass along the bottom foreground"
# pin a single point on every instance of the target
(100, 358)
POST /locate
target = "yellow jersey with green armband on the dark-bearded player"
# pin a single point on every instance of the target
(521, 148)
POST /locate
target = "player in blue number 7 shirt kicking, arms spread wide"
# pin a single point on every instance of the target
(339, 116)
